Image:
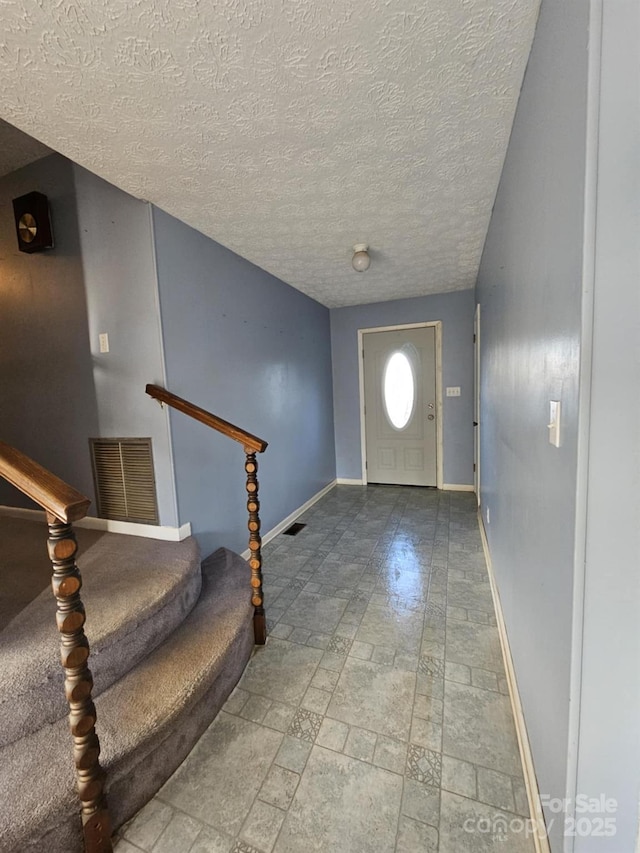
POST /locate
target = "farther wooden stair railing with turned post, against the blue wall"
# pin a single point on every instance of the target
(252, 445)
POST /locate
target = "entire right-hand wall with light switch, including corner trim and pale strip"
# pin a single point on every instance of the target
(572, 633)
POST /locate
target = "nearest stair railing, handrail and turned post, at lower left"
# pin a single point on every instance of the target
(63, 505)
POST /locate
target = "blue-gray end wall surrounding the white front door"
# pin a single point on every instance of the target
(455, 310)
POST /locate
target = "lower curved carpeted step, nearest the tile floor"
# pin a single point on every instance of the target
(147, 722)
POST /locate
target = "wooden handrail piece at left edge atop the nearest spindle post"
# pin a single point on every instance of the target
(50, 492)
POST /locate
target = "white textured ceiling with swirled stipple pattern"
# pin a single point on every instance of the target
(287, 130)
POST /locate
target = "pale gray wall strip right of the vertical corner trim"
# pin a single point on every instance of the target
(609, 744)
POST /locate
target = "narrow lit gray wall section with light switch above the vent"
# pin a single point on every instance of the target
(122, 300)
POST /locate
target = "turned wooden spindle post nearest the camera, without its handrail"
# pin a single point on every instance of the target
(74, 652)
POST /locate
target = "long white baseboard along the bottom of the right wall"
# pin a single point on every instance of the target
(540, 837)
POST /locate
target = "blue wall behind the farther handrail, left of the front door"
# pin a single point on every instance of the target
(245, 346)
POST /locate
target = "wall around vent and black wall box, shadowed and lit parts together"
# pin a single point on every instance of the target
(57, 389)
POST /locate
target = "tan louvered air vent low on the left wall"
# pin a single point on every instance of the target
(124, 479)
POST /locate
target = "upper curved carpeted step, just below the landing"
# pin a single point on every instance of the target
(136, 591)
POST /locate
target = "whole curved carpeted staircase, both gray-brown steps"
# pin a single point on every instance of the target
(169, 640)
